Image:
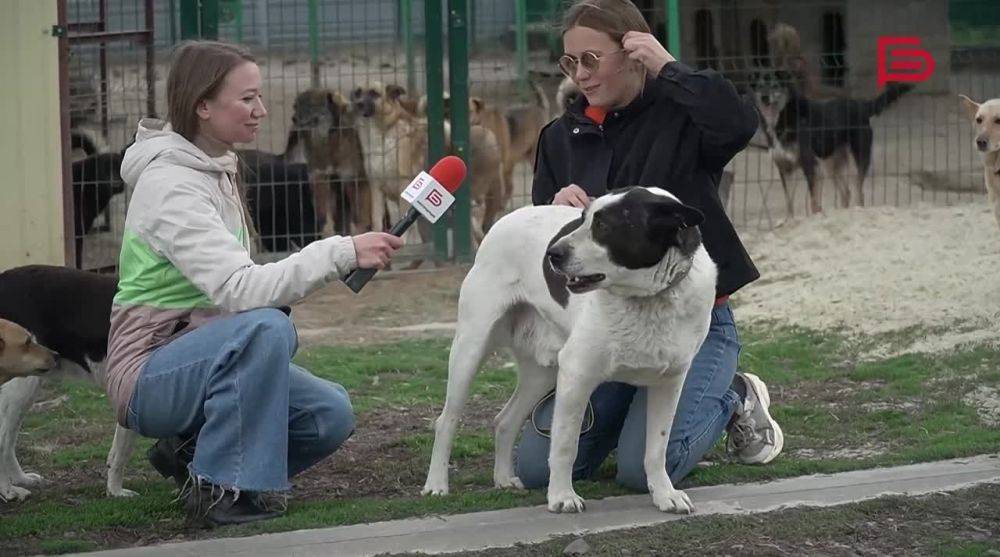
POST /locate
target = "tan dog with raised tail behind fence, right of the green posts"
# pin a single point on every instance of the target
(516, 128)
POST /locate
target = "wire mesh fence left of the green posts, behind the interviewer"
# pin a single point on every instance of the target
(343, 135)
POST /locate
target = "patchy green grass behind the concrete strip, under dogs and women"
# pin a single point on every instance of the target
(838, 412)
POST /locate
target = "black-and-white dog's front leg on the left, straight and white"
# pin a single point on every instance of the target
(574, 385)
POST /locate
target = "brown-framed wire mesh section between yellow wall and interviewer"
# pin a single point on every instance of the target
(111, 85)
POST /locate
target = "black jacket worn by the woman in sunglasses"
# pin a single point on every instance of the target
(677, 135)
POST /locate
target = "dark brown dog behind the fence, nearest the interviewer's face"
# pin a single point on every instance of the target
(333, 155)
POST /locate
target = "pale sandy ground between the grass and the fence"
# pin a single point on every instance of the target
(873, 272)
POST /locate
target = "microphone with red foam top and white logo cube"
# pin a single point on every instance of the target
(429, 195)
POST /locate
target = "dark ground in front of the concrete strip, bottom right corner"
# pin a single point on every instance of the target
(965, 522)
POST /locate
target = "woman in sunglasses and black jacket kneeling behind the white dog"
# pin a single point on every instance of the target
(645, 119)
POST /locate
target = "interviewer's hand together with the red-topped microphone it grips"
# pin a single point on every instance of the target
(429, 195)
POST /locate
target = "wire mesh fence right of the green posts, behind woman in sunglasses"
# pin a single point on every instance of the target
(811, 69)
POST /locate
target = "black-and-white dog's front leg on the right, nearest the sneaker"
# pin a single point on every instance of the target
(660, 409)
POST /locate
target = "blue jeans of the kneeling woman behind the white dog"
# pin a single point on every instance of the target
(619, 418)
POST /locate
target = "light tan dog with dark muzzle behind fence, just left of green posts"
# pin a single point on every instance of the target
(394, 145)
